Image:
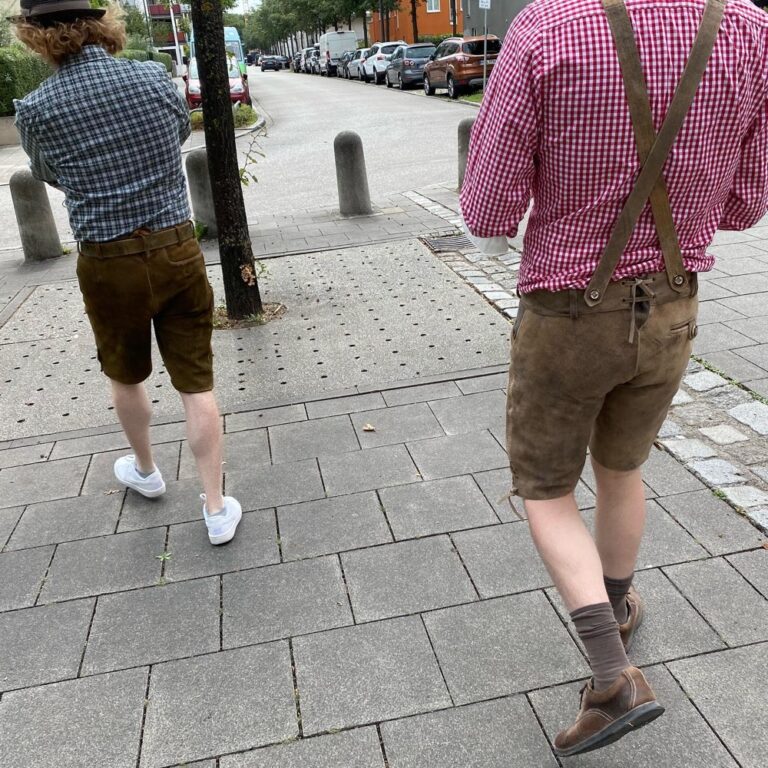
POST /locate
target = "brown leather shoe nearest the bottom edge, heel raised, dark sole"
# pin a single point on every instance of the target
(604, 717)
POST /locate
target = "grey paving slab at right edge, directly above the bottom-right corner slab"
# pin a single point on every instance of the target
(736, 610)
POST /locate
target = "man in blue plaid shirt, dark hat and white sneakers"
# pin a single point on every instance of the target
(108, 132)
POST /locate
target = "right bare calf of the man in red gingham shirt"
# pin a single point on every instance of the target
(619, 519)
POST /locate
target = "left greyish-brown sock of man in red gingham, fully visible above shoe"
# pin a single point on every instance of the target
(598, 630)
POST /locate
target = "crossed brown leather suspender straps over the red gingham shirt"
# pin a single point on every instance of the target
(652, 149)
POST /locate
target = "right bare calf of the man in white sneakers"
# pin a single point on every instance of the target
(205, 441)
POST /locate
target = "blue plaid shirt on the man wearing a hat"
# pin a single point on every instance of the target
(108, 132)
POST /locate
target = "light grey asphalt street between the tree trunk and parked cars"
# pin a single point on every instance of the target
(409, 140)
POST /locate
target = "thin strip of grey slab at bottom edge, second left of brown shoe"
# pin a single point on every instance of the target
(358, 748)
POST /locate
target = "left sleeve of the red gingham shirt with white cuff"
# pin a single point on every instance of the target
(501, 163)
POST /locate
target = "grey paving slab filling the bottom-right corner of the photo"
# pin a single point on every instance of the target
(728, 688)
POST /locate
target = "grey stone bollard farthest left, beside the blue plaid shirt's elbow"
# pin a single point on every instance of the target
(39, 237)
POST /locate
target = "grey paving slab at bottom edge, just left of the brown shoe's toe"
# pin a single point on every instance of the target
(494, 734)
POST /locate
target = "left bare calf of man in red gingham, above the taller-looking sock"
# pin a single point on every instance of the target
(568, 551)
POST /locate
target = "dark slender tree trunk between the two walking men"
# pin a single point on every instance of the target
(241, 288)
